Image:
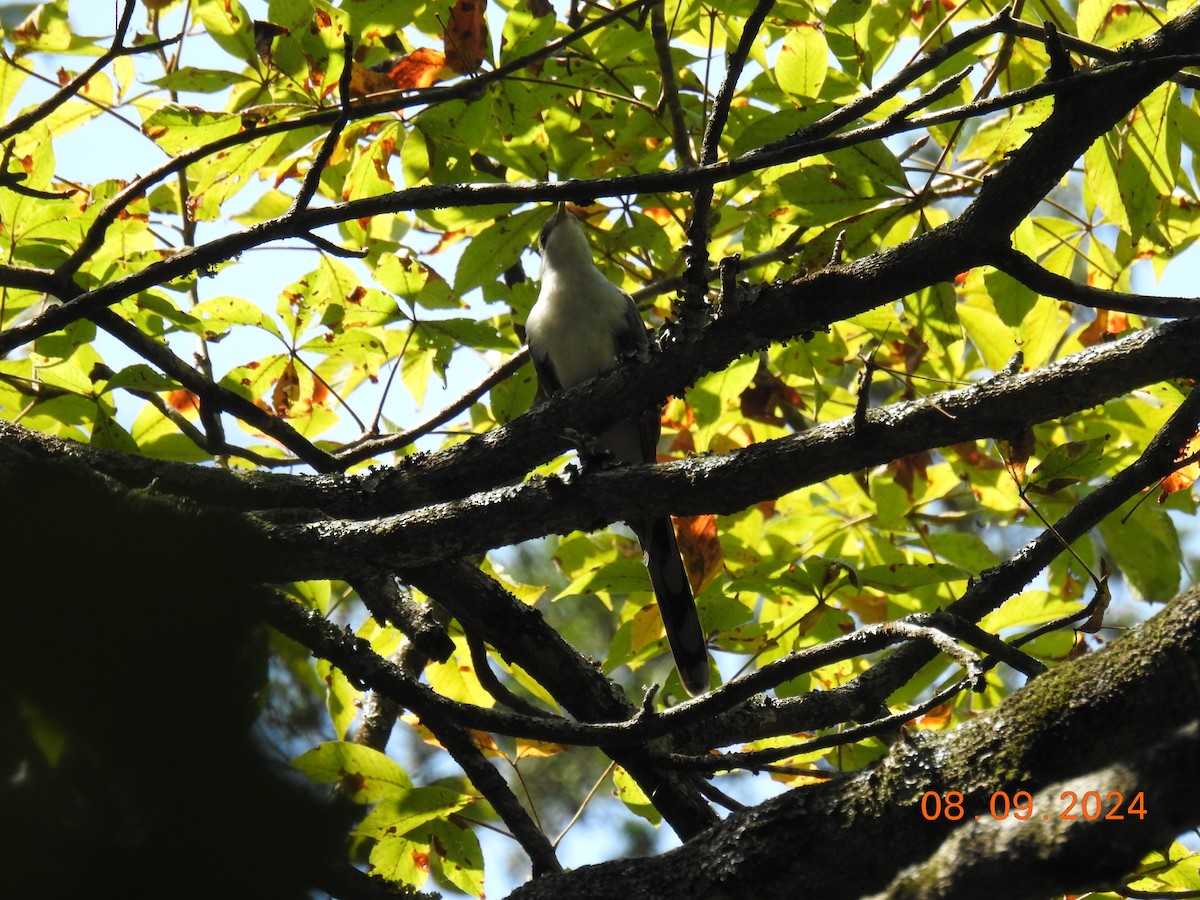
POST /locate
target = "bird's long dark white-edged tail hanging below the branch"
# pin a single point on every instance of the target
(661, 553)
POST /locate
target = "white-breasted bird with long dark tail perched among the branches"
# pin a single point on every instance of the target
(581, 327)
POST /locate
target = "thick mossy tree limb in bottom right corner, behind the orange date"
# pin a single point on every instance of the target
(848, 839)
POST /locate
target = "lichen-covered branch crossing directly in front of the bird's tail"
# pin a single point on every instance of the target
(737, 479)
